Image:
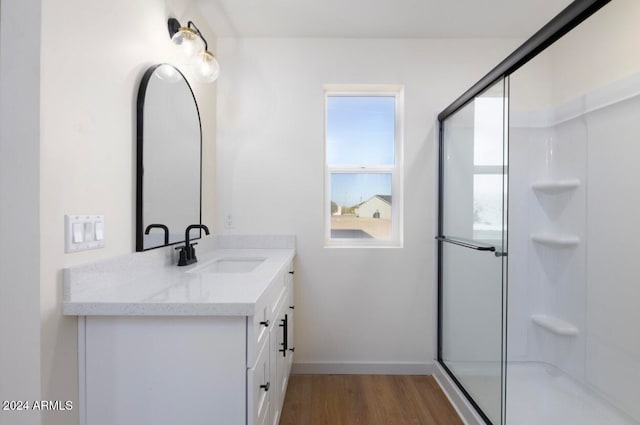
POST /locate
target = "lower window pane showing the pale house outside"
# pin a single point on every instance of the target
(361, 206)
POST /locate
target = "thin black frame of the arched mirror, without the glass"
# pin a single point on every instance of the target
(139, 156)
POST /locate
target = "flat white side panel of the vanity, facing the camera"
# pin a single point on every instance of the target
(163, 370)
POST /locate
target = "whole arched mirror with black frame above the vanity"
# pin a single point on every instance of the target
(169, 146)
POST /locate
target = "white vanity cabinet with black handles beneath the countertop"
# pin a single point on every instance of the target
(189, 369)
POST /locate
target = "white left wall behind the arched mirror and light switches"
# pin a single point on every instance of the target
(93, 57)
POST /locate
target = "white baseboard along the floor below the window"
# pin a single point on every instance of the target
(338, 368)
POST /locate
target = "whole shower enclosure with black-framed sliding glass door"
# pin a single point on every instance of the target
(539, 209)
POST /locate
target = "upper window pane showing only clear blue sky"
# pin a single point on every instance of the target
(361, 130)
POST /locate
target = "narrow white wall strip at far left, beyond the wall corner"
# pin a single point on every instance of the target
(19, 200)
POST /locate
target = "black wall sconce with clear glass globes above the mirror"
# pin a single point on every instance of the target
(194, 49)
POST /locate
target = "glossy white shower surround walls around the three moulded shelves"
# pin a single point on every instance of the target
(594, 284)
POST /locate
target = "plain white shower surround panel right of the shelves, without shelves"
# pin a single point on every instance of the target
(613, 270)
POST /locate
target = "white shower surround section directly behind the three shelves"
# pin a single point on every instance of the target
(545, 279)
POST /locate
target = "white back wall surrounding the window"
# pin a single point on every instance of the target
(352, 305)
